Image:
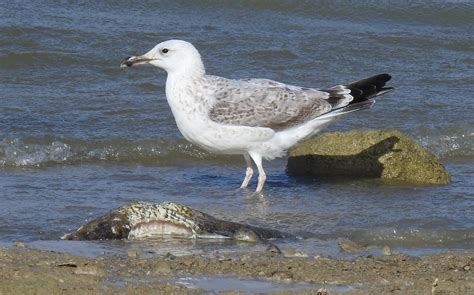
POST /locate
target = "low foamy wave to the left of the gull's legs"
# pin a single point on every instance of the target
(46, 151)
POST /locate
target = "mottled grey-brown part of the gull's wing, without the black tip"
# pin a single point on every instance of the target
(275, 107)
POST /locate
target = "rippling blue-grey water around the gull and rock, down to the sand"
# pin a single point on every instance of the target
(79, 136)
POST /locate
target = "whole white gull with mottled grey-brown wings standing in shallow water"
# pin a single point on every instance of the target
(257, 118)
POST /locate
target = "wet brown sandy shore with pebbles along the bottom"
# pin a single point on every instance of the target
(26, 271)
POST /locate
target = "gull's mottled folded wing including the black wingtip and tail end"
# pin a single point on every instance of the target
(267, 103)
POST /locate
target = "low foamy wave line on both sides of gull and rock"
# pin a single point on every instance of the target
(447, 143)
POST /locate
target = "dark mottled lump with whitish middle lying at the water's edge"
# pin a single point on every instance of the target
(140, 220)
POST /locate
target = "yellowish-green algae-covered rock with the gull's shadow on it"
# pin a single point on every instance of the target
(383, 154)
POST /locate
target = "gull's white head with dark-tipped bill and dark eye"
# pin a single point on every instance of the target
(173, 56)
